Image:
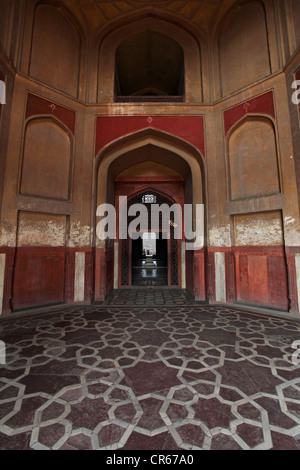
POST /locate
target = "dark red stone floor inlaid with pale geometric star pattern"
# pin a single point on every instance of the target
(135, 376)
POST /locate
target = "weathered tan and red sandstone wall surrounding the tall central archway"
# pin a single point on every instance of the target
(56, 130)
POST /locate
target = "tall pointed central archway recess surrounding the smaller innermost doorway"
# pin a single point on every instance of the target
(170, 170)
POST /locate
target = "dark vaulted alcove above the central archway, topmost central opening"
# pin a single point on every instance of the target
(151, 57)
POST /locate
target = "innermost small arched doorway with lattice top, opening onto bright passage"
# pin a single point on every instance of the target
(150, 255)
